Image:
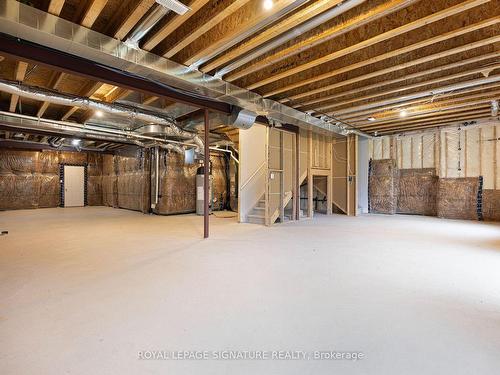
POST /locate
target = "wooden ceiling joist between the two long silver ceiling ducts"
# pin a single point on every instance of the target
(262, 37)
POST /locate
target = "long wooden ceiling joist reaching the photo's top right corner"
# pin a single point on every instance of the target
(459, 8)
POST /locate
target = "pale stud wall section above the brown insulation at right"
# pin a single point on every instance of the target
(454, 151)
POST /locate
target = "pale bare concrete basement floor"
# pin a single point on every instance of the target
(84, 290)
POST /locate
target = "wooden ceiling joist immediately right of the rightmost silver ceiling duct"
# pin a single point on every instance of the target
(351, 24)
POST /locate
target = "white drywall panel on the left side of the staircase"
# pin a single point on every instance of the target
(252, 180)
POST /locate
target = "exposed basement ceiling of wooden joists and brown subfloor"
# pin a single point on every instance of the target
(381, 66)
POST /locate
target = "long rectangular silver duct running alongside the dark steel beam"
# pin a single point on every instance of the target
(36, 26)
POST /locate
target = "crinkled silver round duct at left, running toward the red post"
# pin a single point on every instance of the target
(169, 127)
